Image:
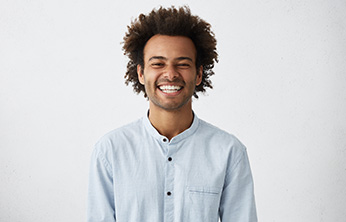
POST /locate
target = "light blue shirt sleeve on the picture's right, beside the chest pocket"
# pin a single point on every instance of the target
(237, 200)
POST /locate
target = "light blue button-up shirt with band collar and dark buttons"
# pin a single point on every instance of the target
(201, 175)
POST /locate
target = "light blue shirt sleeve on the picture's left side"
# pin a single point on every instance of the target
(100, 191)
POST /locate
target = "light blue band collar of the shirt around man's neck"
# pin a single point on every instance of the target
(153, 132)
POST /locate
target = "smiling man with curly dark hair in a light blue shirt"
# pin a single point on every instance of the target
(170, 166)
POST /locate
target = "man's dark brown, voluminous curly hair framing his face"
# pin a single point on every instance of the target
(172, 22)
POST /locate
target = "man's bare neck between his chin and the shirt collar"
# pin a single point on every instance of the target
(171, 123)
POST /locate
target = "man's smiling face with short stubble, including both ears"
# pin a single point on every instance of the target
(169, 75)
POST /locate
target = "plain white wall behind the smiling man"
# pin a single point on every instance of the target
(280, 87)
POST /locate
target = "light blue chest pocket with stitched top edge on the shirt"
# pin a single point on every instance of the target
(204, 202)
